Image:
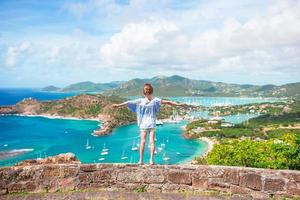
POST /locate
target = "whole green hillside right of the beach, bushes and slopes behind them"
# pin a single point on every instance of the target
(268, 141)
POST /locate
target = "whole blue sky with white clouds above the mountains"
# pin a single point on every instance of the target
(62, 42)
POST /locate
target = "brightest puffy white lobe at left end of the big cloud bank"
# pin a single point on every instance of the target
(135, 42)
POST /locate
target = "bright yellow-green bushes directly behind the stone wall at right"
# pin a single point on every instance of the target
(280, 153)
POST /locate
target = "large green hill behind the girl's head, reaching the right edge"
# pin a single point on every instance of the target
(181, 86)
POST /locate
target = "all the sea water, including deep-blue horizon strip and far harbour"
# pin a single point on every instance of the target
(23, 137)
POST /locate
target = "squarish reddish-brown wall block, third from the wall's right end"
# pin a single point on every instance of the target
(252, 181)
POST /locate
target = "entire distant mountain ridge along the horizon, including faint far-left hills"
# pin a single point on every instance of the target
(181, 86)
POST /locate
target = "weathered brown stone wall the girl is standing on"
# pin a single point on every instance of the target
(259, 183)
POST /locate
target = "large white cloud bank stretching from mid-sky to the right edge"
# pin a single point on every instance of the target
(256, 44)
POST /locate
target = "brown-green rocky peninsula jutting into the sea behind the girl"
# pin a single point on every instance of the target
(84, 106)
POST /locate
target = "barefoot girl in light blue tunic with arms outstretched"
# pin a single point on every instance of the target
(146, 109)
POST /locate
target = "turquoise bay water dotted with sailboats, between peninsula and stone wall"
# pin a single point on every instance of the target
(47, 137)
